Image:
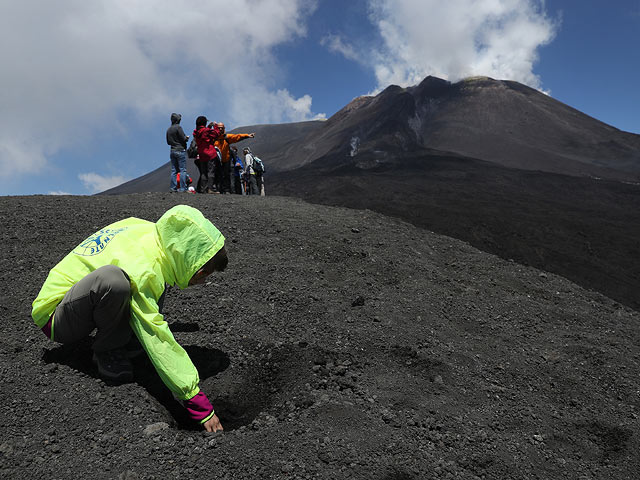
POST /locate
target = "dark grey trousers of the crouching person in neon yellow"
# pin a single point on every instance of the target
(101, 301)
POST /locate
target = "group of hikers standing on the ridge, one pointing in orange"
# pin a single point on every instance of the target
(222, 169)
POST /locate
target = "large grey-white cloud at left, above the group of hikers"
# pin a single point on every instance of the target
(73, 67)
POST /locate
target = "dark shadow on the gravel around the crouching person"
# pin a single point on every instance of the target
(208, 361)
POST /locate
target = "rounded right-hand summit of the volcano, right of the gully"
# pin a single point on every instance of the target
(513, 125)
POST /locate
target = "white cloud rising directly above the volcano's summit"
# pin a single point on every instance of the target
(456, 39)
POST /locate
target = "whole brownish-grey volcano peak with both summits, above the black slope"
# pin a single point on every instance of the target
(501, 122)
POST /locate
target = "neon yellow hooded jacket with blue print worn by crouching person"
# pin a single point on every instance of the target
(169, 251)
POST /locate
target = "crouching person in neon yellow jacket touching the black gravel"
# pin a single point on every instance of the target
(114, 281)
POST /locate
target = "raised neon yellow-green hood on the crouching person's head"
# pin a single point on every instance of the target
(188, 240)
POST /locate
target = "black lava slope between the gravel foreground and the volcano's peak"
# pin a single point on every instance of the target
(583, 229)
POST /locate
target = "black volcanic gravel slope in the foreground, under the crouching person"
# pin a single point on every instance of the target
(338, 344)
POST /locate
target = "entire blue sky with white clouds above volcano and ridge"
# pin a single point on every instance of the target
(88, 87)
